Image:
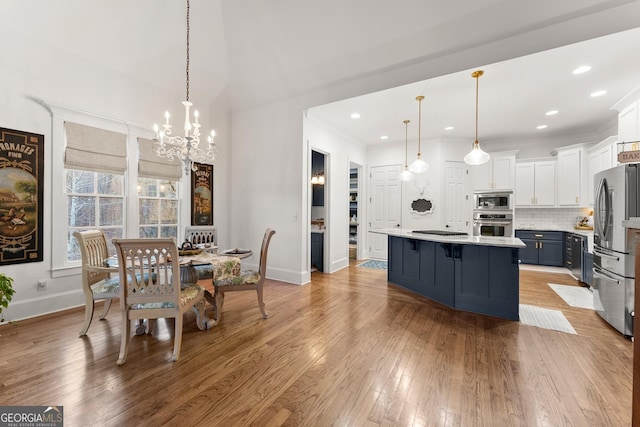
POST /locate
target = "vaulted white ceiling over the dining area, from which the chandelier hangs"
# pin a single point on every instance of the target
(257, 52)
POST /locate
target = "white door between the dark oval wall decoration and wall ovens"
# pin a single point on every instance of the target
(457, 206)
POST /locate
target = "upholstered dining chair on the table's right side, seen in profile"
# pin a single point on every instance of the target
(249, 280)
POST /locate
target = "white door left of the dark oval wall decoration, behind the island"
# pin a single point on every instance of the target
(384, 206)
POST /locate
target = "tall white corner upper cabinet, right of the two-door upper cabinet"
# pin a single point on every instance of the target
(571, 177)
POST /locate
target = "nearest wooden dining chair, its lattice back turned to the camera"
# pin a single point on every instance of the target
(151, 289)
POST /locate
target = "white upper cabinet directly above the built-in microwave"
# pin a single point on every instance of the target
(497, 174)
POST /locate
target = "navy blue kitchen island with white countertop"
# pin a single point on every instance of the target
(476, 274)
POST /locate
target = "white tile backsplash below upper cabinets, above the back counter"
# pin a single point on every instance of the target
(561, 218)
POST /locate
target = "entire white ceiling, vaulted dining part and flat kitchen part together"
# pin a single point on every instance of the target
(251, 53)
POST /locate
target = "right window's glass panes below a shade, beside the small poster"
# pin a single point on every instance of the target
(158, 208)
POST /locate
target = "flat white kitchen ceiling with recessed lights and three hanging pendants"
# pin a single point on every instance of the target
(514, 97)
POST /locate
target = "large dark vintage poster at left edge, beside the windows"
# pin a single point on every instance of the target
(21, 196)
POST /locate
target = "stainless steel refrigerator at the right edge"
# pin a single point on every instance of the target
(616, 200)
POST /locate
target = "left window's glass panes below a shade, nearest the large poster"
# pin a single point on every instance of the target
(94, 200)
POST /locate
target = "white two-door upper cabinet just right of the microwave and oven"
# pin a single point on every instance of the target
(535, 184)
